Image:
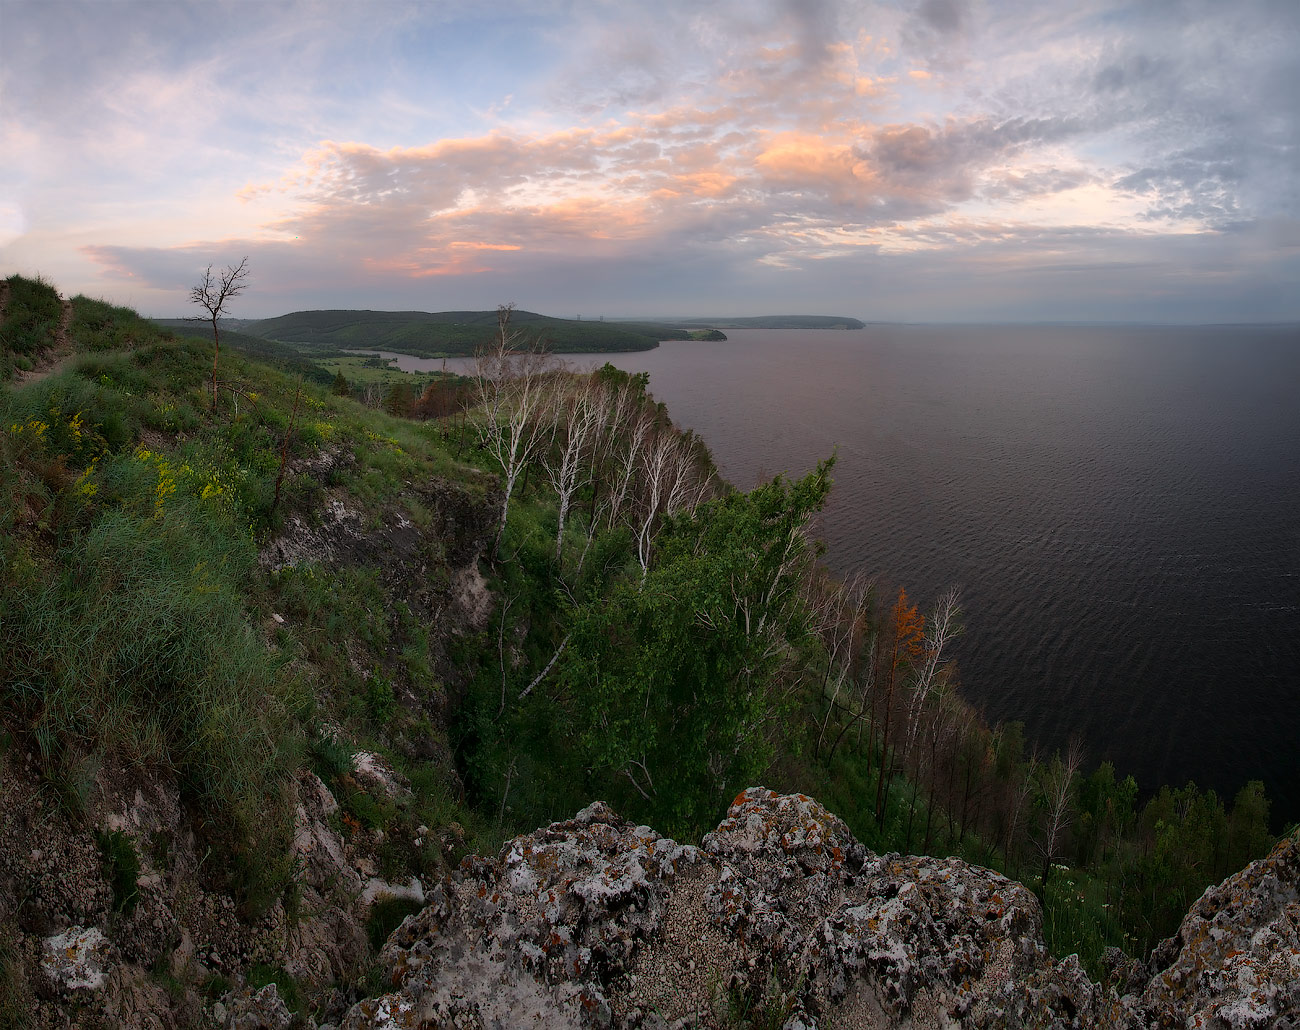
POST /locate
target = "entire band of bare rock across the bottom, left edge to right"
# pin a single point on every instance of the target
(778, 919)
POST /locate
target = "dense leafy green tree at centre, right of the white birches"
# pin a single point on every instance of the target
(675, 682)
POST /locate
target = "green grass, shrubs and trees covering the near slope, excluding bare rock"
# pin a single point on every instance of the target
(662, 646)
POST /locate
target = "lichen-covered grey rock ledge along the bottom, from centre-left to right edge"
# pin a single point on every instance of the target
(781, 918)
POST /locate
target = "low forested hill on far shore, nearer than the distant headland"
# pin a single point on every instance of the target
(436, 334)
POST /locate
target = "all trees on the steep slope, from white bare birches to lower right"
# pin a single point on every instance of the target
(709, 650)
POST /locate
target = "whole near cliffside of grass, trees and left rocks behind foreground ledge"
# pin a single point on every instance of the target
(272, 667)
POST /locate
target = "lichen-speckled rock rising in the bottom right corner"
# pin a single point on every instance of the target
(1236, 960)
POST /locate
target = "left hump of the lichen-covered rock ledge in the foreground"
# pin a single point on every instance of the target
(532, 938)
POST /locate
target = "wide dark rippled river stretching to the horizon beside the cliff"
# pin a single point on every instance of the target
(1120, 508)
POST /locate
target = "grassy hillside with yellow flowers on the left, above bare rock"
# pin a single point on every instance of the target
(136, 621)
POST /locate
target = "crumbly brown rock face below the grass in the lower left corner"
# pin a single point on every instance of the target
(80, 947)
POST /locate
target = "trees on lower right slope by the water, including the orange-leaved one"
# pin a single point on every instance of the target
(890, 700)
